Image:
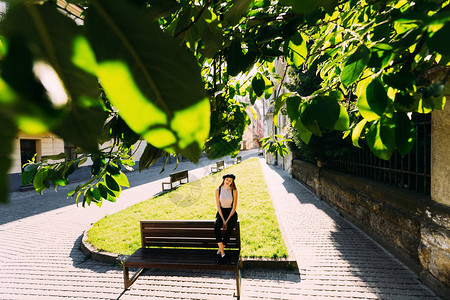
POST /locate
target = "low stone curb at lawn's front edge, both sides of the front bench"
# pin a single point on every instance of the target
(247, 262)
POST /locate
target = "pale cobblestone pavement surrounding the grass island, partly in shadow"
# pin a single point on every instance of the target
(40, 256)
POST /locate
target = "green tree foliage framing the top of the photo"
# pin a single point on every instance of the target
(173, 72)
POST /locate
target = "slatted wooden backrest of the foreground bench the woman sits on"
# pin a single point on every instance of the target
(188, 234)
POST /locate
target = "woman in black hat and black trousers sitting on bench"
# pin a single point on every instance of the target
(226, 217)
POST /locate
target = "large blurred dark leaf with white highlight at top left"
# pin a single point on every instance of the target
(55, 44)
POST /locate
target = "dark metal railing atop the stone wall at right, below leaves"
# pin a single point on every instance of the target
(412, 171)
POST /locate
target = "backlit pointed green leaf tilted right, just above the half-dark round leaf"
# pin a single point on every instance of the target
(354, 65)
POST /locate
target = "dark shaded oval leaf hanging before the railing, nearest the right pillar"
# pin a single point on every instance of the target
(405, 133)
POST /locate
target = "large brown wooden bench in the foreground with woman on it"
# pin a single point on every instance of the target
(187, 245)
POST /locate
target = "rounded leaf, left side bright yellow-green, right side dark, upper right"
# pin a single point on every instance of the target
(372, 103)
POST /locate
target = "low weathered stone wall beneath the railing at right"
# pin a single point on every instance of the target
(408, 224)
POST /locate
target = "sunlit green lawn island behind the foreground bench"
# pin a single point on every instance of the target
(260, 233)
